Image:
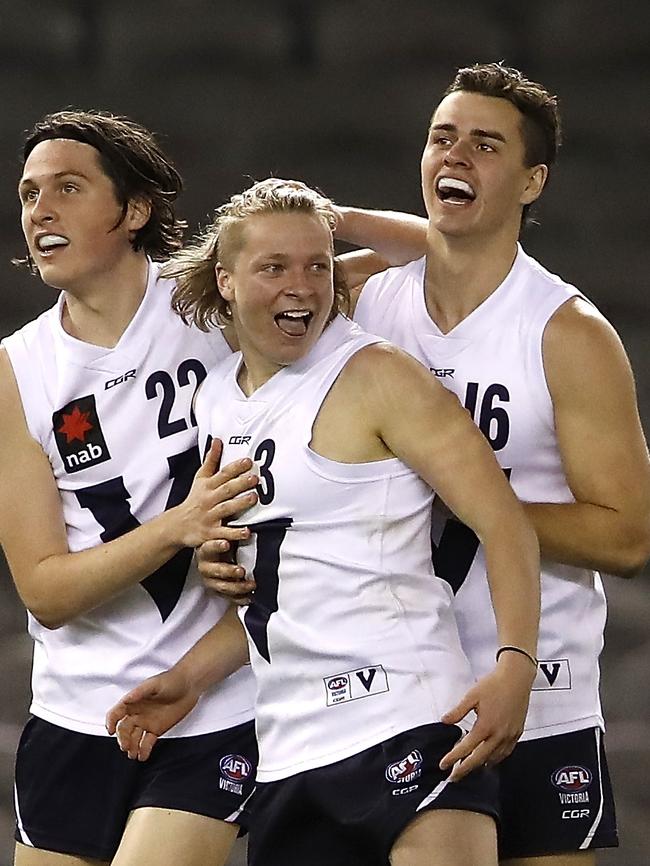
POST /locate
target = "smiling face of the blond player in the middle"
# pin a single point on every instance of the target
(280, 289)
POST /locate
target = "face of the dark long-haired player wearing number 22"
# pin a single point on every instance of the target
(69, 215)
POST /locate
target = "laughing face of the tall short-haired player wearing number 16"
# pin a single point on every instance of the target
(474, 177)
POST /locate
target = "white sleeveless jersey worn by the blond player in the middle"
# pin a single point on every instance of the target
(352, 637)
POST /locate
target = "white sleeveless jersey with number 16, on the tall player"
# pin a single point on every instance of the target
(493, 362)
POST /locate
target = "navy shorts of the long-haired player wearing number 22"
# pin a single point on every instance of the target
(74, 792)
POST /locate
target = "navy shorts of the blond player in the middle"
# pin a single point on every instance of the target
(352, 812)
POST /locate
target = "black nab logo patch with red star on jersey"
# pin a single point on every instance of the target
(79, 436)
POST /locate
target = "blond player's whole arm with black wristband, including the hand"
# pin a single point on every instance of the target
(426, 427)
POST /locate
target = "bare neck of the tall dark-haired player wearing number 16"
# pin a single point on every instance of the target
(461, 273)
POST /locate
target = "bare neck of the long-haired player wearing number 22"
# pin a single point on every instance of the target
(99, 314)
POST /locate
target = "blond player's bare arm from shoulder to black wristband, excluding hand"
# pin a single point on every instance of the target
(431, 432)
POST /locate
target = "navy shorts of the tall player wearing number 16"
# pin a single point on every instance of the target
(556, 796)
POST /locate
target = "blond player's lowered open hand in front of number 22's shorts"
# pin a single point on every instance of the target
(149, 710)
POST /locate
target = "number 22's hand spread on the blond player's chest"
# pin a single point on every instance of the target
(216, 495)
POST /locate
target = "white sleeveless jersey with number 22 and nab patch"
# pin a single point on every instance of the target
(117, 427)
